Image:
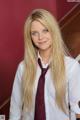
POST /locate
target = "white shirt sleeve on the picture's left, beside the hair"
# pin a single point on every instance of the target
(16, 97)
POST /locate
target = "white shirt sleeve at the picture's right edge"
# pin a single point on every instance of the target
(74, 87)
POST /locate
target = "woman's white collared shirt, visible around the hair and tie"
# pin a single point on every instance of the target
(52, 111)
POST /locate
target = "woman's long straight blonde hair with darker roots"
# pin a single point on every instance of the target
(57, 64)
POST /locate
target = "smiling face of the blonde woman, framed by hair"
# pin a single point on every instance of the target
(40, 35)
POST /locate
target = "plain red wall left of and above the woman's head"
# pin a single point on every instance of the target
(12, 16)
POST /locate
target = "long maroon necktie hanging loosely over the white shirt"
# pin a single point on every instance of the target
(39, 102)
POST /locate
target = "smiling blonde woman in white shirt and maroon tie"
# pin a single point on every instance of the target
(60, 101)
